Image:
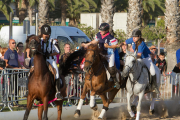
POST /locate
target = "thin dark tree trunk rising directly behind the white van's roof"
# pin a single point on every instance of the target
(63, 6)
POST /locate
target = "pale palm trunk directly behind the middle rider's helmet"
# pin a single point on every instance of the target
(107, 13)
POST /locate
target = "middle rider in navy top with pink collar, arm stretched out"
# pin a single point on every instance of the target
(108, 43)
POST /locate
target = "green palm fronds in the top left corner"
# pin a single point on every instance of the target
(5, 8)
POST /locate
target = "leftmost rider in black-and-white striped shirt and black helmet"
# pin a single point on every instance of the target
(50, 49)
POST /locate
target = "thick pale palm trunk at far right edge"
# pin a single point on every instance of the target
(172, 26)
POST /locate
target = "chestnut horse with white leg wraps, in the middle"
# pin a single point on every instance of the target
(96, 81)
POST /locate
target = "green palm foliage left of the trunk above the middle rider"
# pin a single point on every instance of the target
(75, 7)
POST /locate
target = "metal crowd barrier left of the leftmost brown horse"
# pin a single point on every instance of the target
(13, 86)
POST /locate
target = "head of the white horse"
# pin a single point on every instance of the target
(129, 63)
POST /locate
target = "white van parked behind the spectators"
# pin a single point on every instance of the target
(62, 33)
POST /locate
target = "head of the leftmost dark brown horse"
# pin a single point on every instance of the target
(33, 43)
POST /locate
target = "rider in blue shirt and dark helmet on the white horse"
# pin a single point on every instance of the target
(143, 53)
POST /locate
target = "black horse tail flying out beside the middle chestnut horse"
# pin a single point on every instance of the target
(64, 68)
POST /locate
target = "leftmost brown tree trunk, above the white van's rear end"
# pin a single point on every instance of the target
(22, 11)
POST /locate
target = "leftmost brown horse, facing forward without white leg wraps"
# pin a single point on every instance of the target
(41, 84)
